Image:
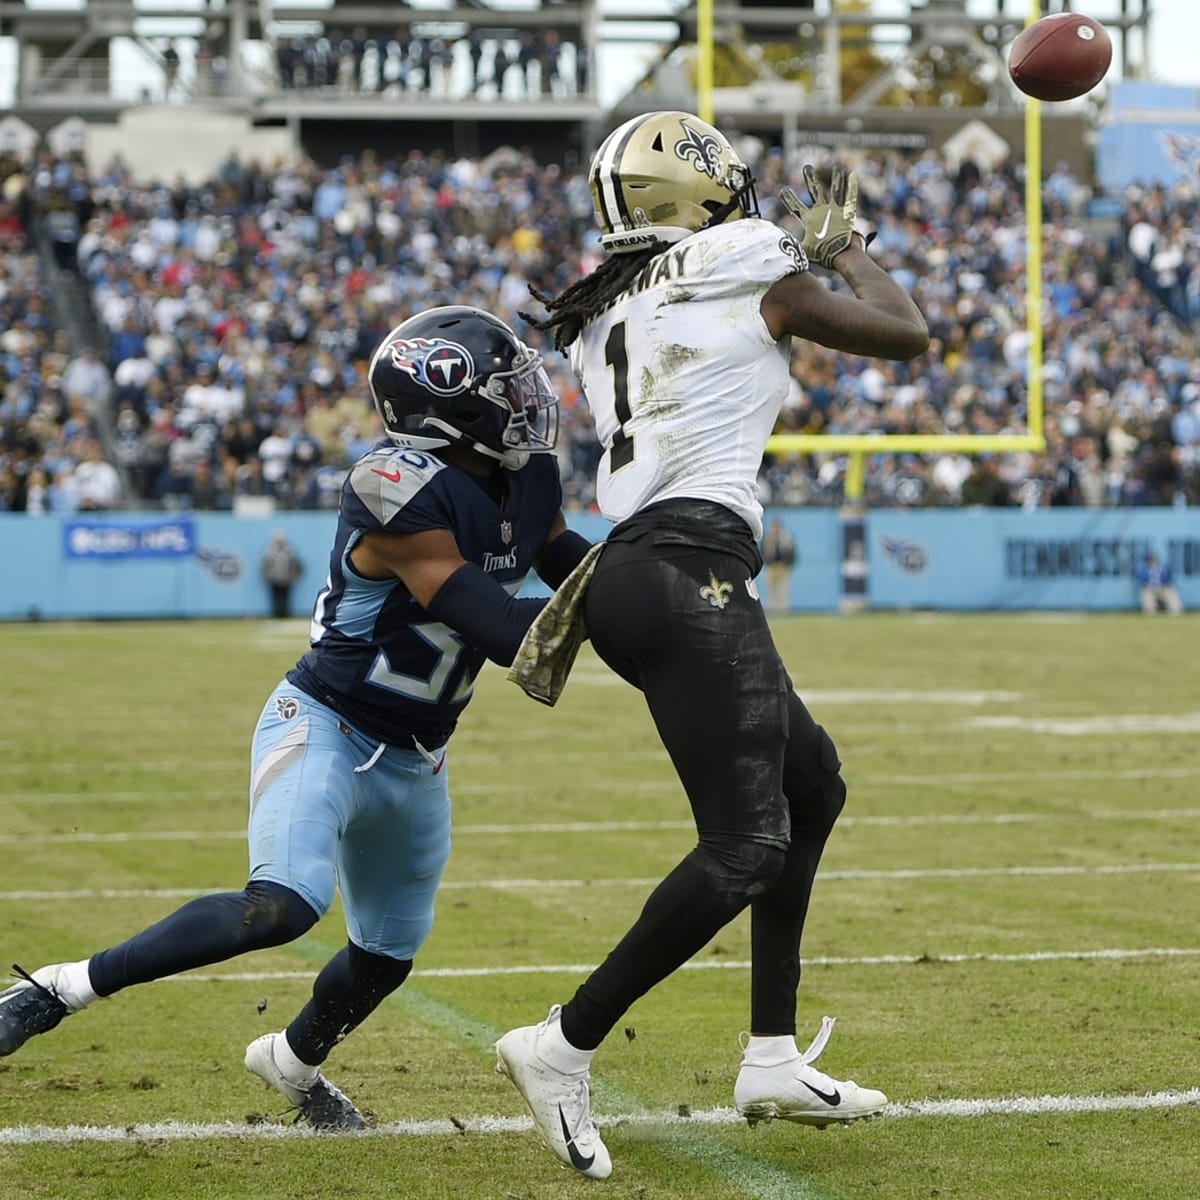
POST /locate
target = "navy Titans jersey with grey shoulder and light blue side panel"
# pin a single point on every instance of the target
(377, 657)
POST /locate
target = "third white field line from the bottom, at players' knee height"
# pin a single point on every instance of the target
(947, 873)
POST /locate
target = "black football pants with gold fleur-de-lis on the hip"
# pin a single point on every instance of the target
(671, 610)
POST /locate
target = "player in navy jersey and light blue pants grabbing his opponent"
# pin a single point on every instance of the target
(439, 526)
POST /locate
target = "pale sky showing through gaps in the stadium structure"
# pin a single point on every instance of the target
(1173, 50)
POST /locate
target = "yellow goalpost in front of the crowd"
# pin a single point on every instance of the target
(861, 446)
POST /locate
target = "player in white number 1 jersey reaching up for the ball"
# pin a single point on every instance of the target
(681, 341)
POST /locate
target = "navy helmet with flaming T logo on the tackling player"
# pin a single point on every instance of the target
(459, 375)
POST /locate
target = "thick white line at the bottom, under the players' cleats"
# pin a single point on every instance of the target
(185, 1131)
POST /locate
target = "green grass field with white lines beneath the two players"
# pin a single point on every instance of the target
(1006, 927)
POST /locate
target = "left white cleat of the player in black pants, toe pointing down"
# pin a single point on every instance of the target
(559, 1101)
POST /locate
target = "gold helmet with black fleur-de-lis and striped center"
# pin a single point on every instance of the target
(662, 177)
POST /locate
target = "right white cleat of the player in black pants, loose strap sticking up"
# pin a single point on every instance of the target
(797, 1091)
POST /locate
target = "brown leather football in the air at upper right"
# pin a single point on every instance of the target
(1060, 57)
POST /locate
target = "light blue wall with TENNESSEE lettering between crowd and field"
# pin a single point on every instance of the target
(209, 565)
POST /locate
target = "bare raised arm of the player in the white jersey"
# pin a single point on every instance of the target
(880, 321)
